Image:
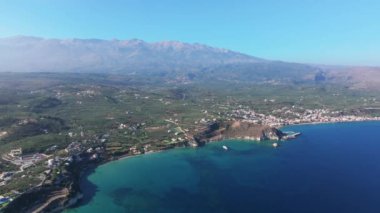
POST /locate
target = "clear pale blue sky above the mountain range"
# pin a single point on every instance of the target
(344, 32)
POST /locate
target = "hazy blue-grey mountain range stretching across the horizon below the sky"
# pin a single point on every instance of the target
(168, 58)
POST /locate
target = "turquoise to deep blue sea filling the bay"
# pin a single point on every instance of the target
(330, 168)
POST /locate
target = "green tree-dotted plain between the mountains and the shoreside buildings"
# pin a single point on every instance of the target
(131, 114)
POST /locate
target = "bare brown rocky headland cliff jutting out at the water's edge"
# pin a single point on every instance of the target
(237, 130)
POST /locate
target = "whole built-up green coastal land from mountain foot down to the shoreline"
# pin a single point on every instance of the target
(51, 138)
